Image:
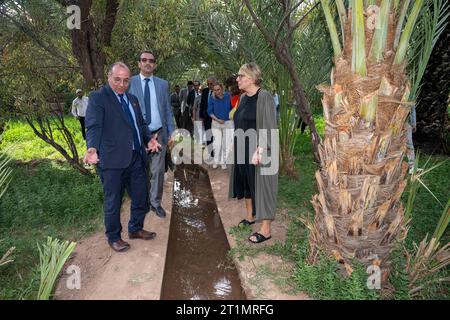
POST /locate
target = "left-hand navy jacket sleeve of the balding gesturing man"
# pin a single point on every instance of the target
(94, 121)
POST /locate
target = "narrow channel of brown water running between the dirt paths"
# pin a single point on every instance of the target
(197, 262)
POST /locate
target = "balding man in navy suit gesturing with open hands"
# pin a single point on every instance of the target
(118, 141)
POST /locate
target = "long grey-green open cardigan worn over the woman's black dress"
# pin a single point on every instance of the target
(266, 184)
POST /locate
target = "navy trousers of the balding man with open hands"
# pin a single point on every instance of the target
(115, 182)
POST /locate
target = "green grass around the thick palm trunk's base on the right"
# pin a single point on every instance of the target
(321, 281)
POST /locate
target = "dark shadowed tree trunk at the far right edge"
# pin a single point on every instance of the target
(433, 131)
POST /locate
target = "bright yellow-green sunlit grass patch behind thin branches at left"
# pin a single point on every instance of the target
(27, 146)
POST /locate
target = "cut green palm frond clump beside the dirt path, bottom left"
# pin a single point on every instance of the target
(52, 256)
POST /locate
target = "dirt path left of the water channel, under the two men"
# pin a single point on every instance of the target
(132, 275)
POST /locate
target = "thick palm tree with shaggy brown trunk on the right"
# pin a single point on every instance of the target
(358, 212)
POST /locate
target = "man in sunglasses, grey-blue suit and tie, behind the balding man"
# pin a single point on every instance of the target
(154, 99)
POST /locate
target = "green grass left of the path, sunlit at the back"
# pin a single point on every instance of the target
(46, 197)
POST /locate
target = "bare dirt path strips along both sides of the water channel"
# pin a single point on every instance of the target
(138, 273)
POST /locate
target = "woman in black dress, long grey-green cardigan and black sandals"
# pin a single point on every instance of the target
(256, 111)
